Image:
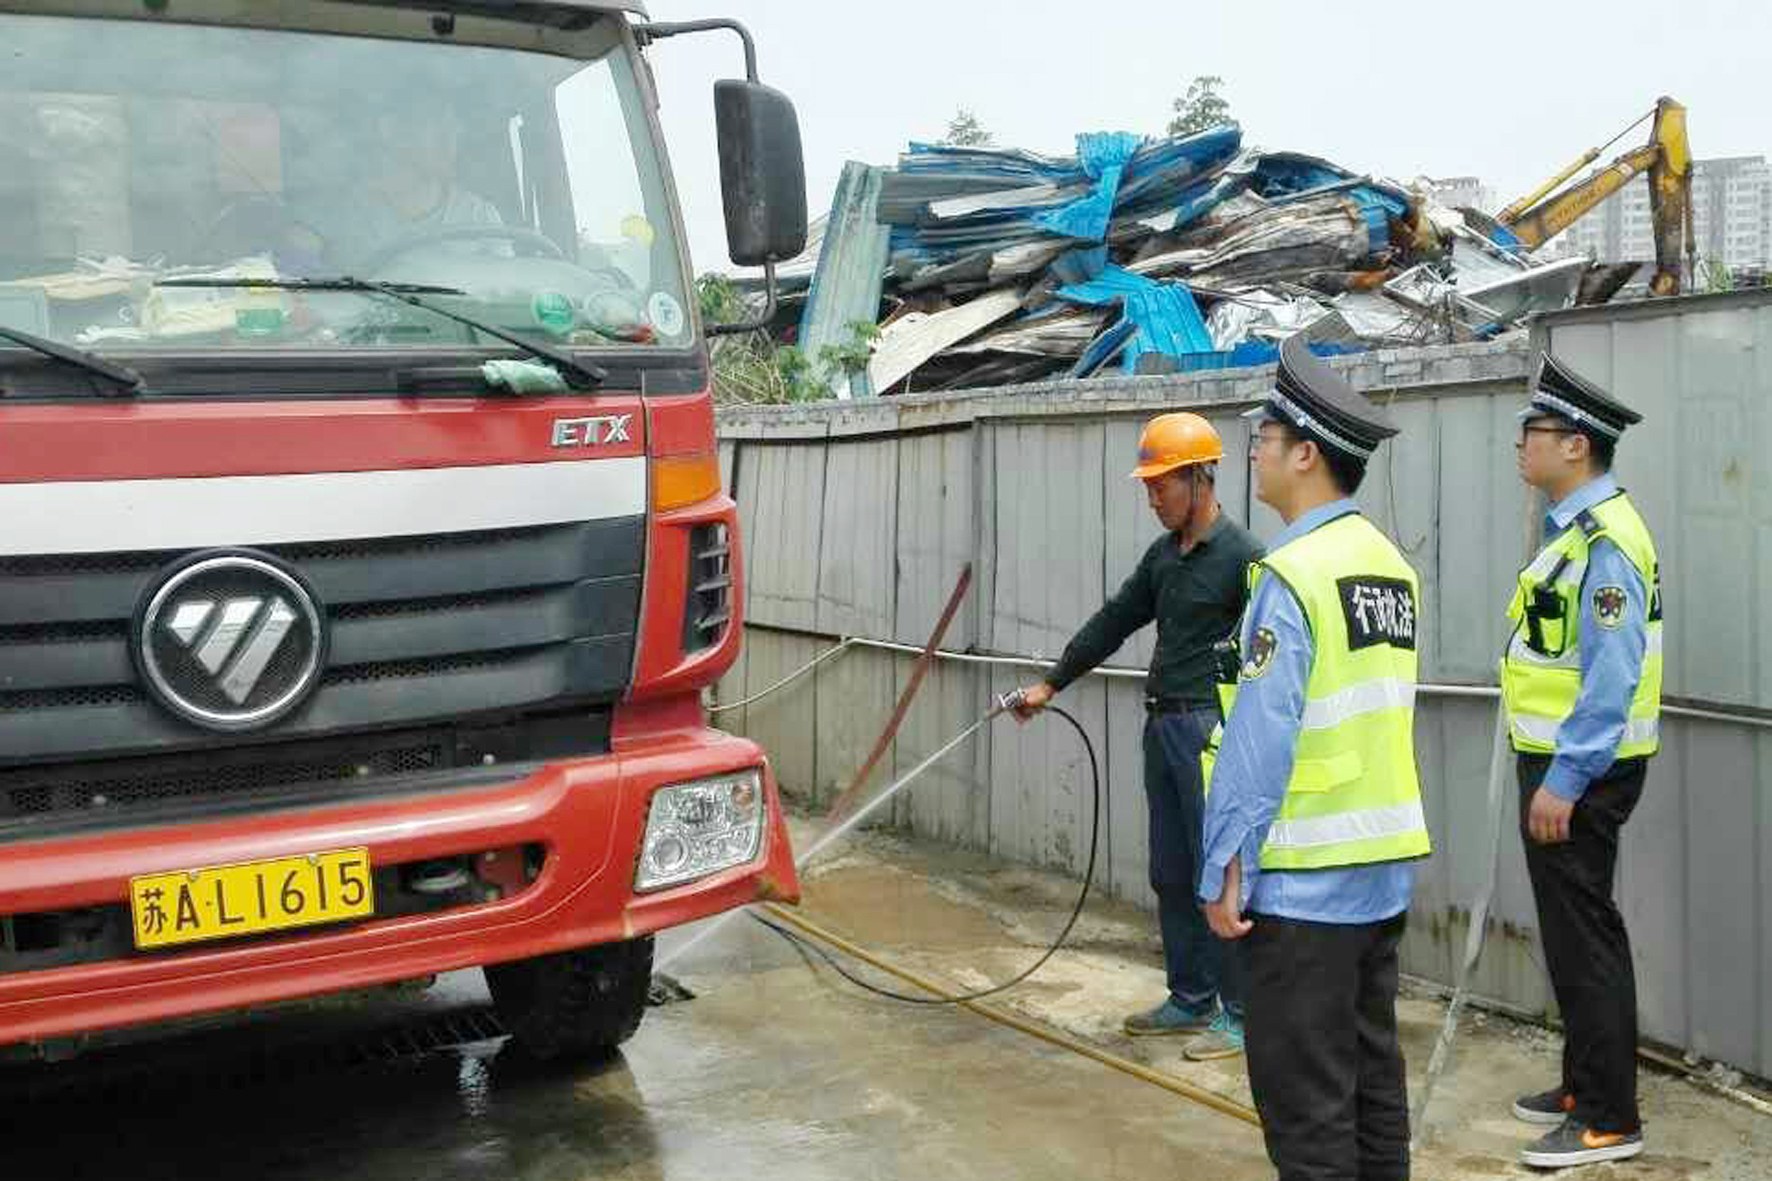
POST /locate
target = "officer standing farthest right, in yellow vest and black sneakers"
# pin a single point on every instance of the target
(1582, 678)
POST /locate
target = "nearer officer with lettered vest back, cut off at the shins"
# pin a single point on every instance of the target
(1314, 811)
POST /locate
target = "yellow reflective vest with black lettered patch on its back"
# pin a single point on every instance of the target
(1355, 797)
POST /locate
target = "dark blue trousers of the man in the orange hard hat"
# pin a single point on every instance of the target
(1199, 966)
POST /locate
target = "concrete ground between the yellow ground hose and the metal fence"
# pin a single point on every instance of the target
(968, 919)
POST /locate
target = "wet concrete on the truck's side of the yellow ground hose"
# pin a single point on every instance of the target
(765, 1074)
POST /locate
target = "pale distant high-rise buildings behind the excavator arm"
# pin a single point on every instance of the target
(1732, 217)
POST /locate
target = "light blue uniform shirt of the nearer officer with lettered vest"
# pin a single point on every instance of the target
(1254, 767)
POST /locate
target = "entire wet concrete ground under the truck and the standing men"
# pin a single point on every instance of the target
(773, 1070)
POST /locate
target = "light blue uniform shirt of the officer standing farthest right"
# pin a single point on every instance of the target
(1612, 659)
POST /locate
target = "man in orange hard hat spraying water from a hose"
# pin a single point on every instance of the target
(1193, 584)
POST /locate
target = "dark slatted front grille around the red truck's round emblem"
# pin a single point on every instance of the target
(424, 634)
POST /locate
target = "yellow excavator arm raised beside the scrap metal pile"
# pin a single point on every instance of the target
(1668, 162)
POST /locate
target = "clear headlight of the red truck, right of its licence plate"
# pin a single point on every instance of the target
(703, 827)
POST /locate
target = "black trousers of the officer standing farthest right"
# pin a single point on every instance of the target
(1587, 948)
